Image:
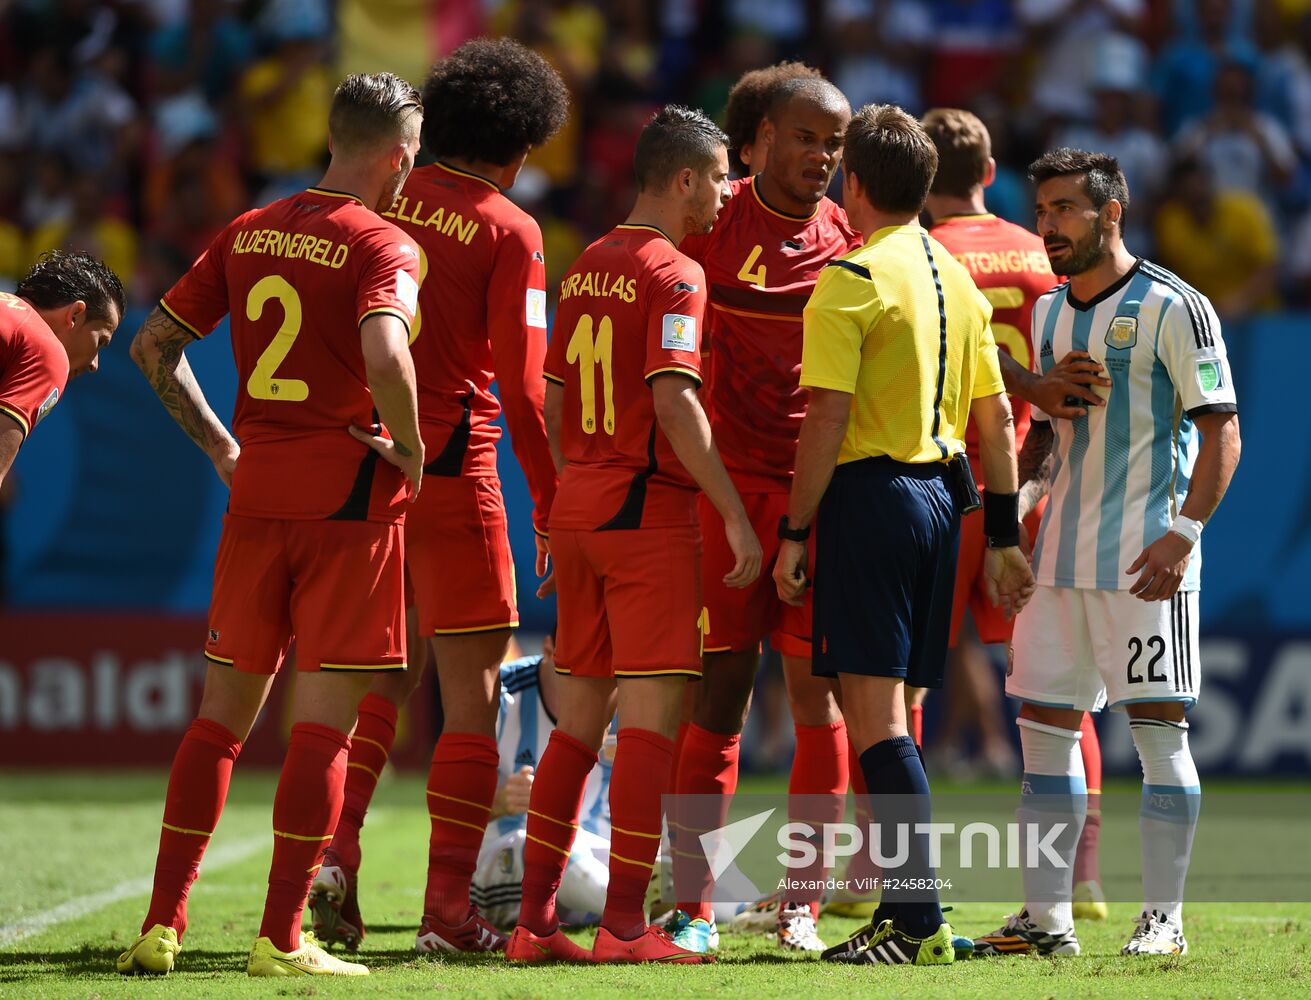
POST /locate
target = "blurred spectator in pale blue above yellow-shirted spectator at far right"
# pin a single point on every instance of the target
(1245, 149)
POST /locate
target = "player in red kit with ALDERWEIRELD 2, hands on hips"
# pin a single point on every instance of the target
(322, 292)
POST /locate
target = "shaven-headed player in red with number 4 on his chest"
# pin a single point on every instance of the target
(762, 263)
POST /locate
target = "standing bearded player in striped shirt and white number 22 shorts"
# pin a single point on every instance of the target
(1115, 621)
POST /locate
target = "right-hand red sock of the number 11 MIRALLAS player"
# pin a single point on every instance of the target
(644, 762)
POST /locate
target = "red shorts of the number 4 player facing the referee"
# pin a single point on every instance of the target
(740, 619)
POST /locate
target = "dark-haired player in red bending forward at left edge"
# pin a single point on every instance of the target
(52, 330)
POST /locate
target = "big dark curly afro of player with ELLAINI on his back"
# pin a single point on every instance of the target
(492, 100)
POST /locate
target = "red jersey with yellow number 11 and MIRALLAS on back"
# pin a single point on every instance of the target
(631, 309)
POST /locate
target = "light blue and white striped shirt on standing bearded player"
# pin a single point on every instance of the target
(1122, 472)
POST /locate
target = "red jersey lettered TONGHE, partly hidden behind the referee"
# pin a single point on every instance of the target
(1010, 267)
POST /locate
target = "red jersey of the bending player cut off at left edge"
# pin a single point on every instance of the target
(33, 364)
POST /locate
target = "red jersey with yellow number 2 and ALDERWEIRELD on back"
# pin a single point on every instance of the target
(300, 277)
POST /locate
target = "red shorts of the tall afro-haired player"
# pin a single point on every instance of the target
(458, 558)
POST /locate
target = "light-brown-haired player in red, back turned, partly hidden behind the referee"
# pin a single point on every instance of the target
(1010, 267)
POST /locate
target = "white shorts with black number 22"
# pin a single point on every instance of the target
(1085, 649)
